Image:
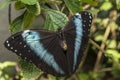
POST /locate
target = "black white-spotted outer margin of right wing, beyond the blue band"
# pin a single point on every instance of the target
(86, 21)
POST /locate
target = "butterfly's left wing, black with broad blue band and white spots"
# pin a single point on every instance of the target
(40, 47)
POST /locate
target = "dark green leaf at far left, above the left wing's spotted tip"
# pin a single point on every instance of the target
(16, 24)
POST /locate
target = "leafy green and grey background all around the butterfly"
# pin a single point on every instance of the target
(101, 60)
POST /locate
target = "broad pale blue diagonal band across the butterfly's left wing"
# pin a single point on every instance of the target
(32, 39)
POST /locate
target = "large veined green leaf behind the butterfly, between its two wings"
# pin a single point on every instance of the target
(55, 19)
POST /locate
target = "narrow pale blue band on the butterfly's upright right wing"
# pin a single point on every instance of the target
(78, 26)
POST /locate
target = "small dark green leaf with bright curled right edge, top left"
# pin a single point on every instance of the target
(34, 9)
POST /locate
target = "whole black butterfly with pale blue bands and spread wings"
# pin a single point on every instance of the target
(58, 53)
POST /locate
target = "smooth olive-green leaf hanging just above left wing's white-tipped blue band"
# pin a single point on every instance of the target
(28, 19)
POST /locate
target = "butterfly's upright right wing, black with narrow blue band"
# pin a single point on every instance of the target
(77, 34)
